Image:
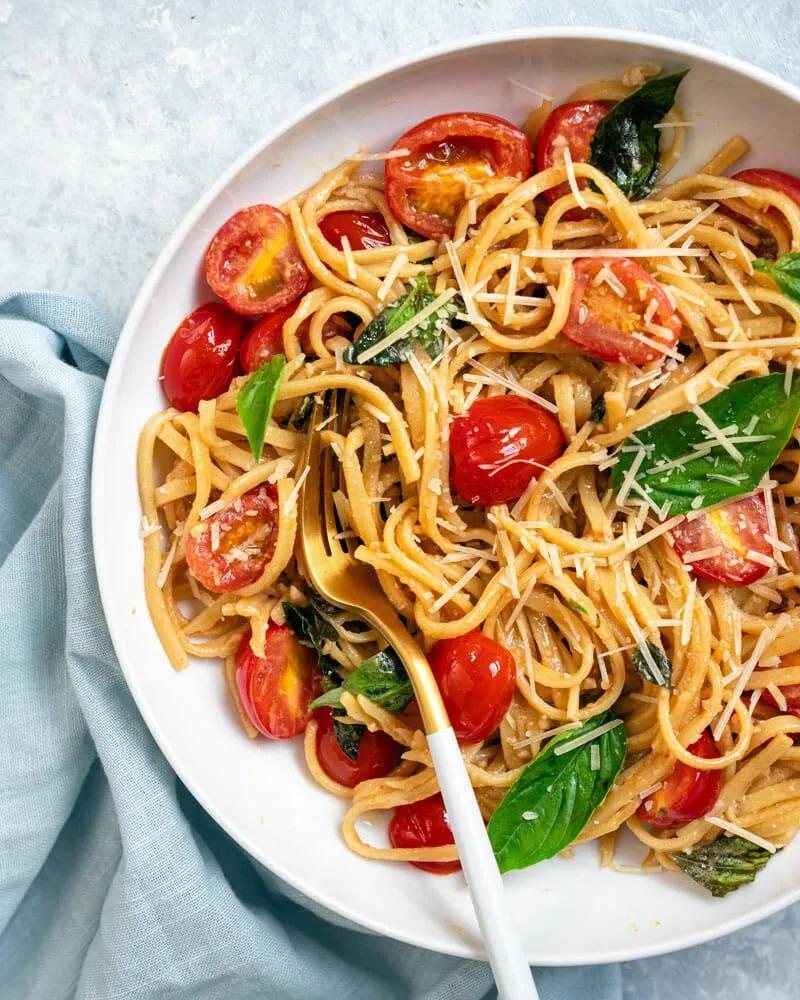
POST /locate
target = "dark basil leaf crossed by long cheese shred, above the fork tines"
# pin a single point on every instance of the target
(426, 334)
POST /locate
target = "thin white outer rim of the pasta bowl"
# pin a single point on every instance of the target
(162, 737)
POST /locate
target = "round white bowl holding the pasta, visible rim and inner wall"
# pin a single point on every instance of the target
(569, 912)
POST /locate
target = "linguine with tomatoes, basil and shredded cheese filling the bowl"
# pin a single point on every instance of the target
(560, 386)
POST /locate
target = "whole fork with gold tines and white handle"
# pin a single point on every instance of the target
(339, 578)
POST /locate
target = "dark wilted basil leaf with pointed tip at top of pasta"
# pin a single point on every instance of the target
(625, 143)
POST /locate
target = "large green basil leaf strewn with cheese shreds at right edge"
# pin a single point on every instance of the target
(759, 404)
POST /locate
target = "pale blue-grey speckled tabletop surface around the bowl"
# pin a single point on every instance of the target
(115, 117)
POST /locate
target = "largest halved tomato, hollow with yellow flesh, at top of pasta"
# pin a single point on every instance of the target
(427, 189)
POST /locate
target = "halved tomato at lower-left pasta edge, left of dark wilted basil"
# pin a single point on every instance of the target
(277, 689)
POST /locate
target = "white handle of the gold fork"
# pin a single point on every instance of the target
(512, 973)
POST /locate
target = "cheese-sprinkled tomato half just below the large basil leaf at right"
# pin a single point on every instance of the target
(737, 528)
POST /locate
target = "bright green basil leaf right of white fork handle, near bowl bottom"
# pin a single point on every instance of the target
(554, 797)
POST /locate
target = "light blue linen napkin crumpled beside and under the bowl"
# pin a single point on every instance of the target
(114, 883)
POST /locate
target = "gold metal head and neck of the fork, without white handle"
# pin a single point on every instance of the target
(337, 576)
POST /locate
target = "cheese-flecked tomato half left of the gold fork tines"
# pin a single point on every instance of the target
(230, 549)
